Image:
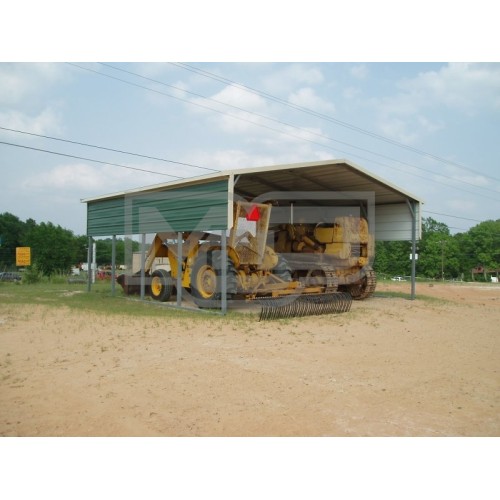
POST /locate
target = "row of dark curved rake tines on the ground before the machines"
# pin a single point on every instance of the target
(294, 306)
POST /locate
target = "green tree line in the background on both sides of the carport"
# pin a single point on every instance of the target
(441, 255)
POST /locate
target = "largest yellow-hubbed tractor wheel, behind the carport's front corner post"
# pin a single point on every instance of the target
(206, 282)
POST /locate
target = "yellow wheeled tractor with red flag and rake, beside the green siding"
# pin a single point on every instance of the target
(254, 270)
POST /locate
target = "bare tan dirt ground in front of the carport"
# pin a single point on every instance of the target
(390, 367)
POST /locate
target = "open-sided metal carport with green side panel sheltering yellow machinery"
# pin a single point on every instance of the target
(205, 202)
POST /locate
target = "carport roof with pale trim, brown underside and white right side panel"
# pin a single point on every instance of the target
(329, 176)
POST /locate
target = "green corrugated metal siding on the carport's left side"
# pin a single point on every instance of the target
(201, 207)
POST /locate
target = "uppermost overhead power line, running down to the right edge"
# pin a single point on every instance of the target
(311, 112)
